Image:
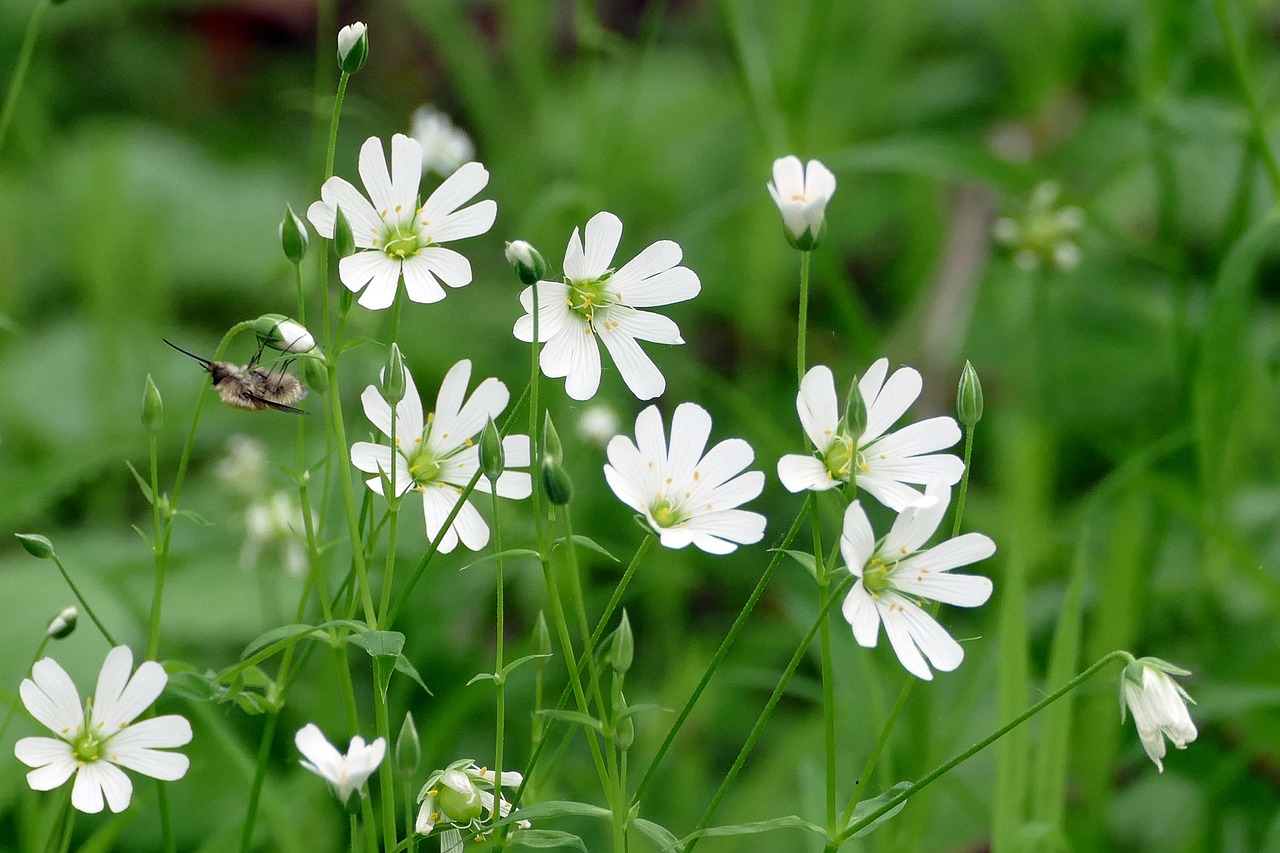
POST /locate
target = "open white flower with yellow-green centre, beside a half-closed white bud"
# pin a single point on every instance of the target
(597, 300)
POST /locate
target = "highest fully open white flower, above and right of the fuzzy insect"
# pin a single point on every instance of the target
(399, 238)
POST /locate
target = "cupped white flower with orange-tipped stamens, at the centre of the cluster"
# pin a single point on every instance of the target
(684, 495)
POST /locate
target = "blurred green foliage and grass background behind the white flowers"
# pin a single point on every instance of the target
(1127, 466)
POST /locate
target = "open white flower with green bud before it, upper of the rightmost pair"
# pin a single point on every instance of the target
(883, 464)
